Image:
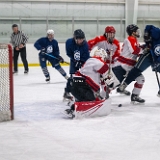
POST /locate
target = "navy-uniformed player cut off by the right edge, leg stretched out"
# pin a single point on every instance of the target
(150, 56)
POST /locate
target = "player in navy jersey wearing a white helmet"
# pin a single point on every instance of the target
(49, 51)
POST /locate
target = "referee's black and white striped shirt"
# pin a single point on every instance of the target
(19, 38)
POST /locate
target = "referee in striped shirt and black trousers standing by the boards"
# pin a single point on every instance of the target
(18, 40)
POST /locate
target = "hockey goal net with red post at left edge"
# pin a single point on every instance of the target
(6, 83)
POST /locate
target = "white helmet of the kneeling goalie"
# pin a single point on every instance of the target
(99, 52)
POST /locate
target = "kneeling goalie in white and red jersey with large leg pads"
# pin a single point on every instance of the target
(86, 87)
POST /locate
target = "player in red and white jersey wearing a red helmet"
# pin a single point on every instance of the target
(108, 42)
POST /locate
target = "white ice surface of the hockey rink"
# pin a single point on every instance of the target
(40, 132)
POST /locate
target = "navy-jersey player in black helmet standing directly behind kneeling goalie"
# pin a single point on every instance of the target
(78, 52)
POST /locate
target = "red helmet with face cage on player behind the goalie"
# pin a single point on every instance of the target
(110, 33)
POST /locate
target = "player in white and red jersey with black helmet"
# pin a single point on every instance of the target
(131, 50)
